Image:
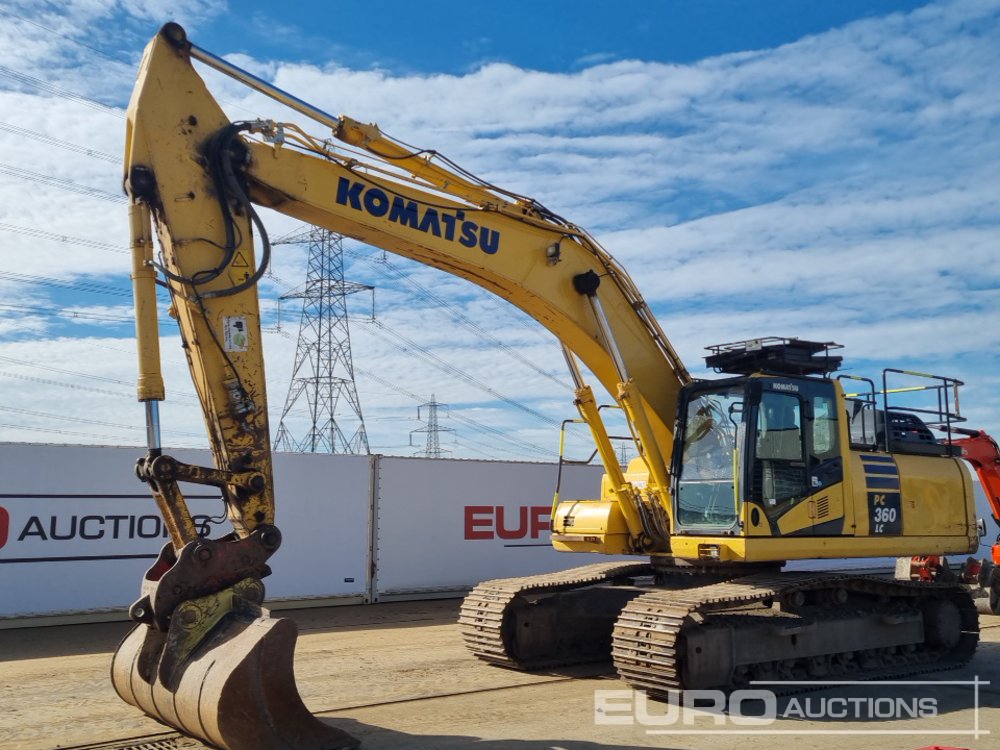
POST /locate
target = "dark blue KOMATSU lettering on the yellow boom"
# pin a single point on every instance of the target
(449, 224)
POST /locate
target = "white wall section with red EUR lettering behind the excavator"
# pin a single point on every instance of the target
(452, 524)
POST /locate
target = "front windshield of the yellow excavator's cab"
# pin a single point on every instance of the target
(707, 489)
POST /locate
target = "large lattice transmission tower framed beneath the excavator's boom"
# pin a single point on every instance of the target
(322, 382)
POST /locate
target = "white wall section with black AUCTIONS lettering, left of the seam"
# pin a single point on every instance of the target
(78, 530)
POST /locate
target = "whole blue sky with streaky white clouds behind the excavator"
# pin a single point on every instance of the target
(817, 169)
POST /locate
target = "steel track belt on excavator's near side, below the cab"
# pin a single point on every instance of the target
(647, 643)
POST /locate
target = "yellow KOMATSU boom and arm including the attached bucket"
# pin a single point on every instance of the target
(204, 656)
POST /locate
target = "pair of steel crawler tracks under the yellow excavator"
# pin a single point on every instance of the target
(805, 625)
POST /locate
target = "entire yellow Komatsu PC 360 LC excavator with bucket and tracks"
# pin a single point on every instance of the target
(775, 462)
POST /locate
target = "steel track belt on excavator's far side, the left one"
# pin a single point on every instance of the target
(483, 615)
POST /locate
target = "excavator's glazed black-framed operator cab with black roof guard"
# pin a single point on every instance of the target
(768, 436)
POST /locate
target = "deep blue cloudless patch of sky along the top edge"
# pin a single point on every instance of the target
(444, 36)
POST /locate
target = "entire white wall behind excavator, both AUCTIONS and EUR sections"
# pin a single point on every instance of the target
(78, 530)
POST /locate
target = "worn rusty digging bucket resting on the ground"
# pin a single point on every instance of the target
(235, 689)
